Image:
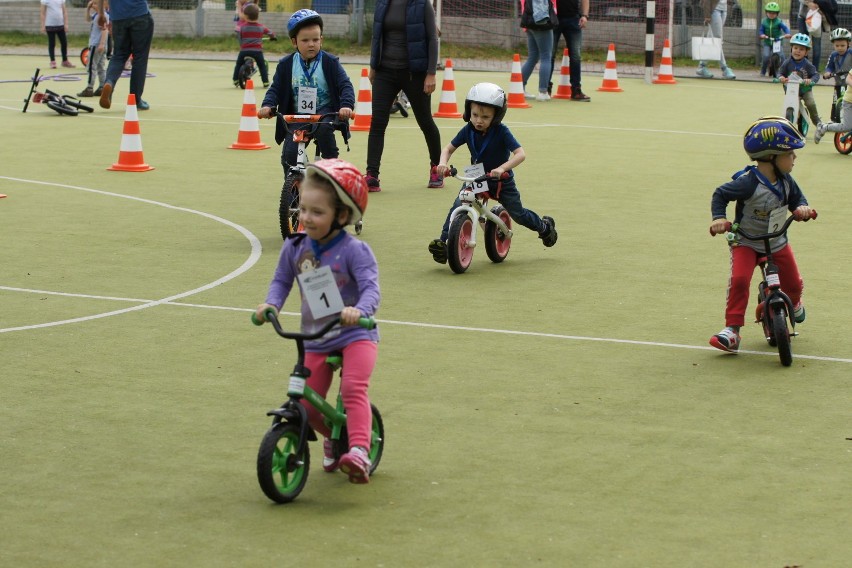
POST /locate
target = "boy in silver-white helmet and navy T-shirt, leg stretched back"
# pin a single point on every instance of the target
(492, 147)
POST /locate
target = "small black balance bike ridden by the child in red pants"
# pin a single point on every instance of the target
(774, 308)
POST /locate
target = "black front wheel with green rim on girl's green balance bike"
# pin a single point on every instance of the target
(269, 457)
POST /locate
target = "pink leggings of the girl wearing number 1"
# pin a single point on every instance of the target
(359, 360)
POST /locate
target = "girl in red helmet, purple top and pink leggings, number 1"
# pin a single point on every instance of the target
(338, 279)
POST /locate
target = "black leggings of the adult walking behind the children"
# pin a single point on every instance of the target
(386, 84)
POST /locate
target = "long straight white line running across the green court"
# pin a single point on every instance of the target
(442, 326)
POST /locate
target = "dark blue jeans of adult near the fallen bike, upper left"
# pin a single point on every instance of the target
(131, 37)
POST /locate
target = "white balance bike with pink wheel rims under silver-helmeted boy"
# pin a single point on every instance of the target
(473, 212)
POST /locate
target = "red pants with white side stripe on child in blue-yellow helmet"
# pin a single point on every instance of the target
(743, 261)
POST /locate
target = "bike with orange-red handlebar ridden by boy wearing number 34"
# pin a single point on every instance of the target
(302, 128)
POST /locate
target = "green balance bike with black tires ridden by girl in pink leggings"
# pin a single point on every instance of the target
(284, 458)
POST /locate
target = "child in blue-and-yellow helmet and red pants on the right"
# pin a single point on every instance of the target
(762, 194)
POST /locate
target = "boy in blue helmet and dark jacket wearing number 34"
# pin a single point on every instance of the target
(309, 81)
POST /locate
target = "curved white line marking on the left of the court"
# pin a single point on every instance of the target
(256, 250)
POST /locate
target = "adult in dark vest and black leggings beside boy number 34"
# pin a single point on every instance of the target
(404, 57)
